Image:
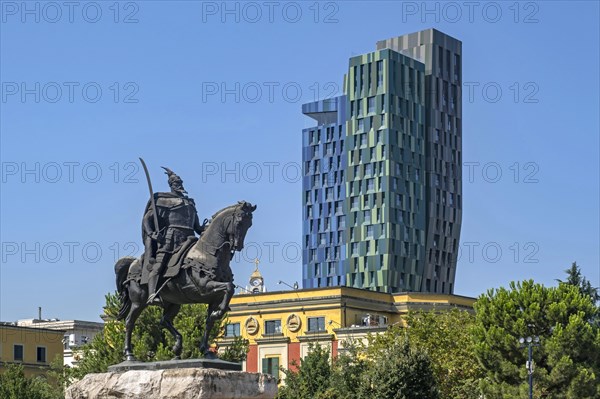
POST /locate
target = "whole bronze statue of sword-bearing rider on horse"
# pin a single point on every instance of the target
(177, 267)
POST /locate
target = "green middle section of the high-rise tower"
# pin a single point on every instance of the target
(386, 160)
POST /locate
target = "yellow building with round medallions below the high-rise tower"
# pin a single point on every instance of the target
(280, 325)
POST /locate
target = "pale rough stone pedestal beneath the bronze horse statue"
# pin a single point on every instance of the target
(174, 383)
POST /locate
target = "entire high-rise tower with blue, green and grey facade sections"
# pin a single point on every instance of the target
(382, 171)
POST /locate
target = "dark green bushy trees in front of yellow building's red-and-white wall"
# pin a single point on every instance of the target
(387, 367)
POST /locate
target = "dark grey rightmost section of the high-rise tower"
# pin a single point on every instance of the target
(442, 57)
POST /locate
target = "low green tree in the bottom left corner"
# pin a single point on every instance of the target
(14, 385)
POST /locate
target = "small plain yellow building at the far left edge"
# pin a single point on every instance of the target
(34, 348)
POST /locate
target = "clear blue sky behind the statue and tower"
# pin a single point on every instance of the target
(214, 91)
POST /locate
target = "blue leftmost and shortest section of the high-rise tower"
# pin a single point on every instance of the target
(324, 194)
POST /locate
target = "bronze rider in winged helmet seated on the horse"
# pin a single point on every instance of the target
(177, 219)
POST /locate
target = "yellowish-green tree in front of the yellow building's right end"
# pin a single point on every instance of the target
(447, 338)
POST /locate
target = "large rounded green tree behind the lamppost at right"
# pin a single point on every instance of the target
(567, 362)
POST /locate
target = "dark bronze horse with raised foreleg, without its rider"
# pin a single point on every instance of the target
(203, 277)
